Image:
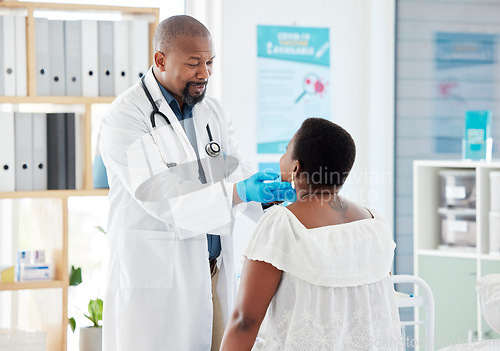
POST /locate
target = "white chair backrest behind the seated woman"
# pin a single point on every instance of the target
(424, 299)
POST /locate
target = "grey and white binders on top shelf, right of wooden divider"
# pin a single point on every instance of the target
(88, 57)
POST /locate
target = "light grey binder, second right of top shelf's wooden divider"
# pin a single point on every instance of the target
(56, 55)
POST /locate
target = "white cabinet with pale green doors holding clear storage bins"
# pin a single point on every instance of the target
(452, 274)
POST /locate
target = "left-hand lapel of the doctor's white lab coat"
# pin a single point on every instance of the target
(160, 101)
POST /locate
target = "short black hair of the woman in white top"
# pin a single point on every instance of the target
(325, 151)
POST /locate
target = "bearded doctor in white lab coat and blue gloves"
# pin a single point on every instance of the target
(175, 179)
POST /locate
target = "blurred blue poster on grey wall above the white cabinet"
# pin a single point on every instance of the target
(466, 79)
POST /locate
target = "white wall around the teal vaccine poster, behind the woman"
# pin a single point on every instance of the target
(362, 79)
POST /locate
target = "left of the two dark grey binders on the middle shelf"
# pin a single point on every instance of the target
(56, 151)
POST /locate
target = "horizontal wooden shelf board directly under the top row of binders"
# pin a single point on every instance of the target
(63, 100)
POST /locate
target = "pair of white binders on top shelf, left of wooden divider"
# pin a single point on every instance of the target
(13, 55)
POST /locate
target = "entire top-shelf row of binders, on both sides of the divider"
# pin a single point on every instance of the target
(73, 58)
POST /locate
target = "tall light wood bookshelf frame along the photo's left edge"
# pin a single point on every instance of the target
(56, 326)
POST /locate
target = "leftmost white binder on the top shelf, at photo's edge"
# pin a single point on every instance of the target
(9, 55)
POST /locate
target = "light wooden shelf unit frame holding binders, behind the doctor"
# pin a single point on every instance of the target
(57, 335)
